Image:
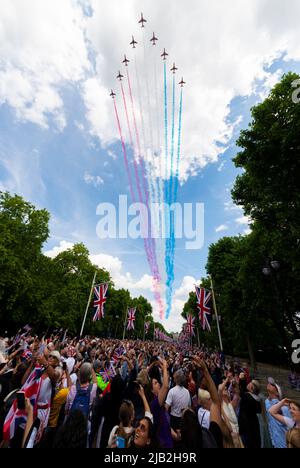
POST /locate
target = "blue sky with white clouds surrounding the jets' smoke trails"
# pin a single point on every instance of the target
(59, 141)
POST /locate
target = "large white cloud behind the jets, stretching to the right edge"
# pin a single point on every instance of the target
(219, 68)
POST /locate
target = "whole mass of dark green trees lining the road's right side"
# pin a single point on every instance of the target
(259, 312)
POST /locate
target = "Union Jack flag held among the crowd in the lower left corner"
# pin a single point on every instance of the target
(18, 418)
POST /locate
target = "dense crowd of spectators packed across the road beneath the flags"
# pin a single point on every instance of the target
(61, 392)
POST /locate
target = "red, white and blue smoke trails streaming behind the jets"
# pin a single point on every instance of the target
(146, 121)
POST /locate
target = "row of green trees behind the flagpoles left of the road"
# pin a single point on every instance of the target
(53, 293)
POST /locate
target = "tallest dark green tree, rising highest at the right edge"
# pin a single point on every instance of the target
(268, 190)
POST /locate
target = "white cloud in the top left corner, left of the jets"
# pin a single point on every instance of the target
(42, 48)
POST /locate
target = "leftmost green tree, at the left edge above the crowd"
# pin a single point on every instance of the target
(23, 231)
